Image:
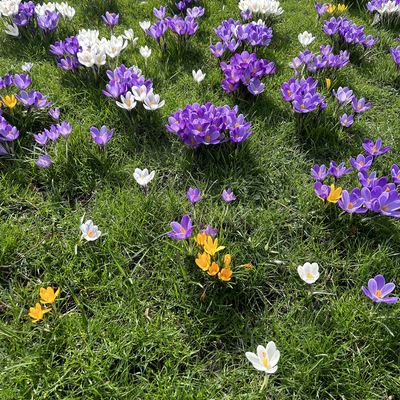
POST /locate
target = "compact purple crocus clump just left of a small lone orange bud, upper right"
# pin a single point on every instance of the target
(302, 95)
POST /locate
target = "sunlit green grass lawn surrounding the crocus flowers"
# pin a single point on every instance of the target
(130, 323)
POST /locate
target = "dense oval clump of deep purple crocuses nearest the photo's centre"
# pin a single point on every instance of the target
(206, 124)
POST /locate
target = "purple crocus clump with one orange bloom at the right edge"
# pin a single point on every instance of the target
(375, 195)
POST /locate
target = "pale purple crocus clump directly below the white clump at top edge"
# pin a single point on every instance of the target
(257, 34)
